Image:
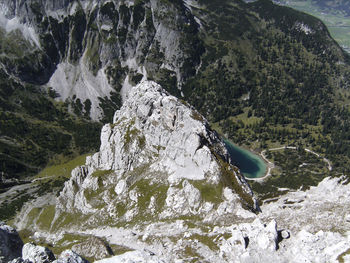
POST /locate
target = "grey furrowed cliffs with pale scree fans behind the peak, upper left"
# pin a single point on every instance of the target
(91, 49)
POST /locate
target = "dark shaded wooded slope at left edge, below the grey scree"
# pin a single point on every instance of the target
(34, 129)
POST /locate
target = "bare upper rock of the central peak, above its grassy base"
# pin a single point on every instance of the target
(155, 128)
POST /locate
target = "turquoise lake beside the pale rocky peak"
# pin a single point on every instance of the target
(251, 165)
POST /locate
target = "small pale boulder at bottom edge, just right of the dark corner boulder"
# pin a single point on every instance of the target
(37, 254)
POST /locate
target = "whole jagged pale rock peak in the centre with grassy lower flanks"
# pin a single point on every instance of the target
(158, 159)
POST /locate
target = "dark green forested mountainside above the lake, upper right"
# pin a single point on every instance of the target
(272, 76)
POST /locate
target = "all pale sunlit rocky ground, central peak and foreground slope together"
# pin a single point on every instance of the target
(162, 189)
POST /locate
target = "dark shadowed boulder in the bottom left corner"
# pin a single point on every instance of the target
(10, 243)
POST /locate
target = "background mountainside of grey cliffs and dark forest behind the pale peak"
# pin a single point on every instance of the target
(265, 75)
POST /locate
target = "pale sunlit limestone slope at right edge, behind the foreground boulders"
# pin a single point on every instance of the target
(323, 207)
